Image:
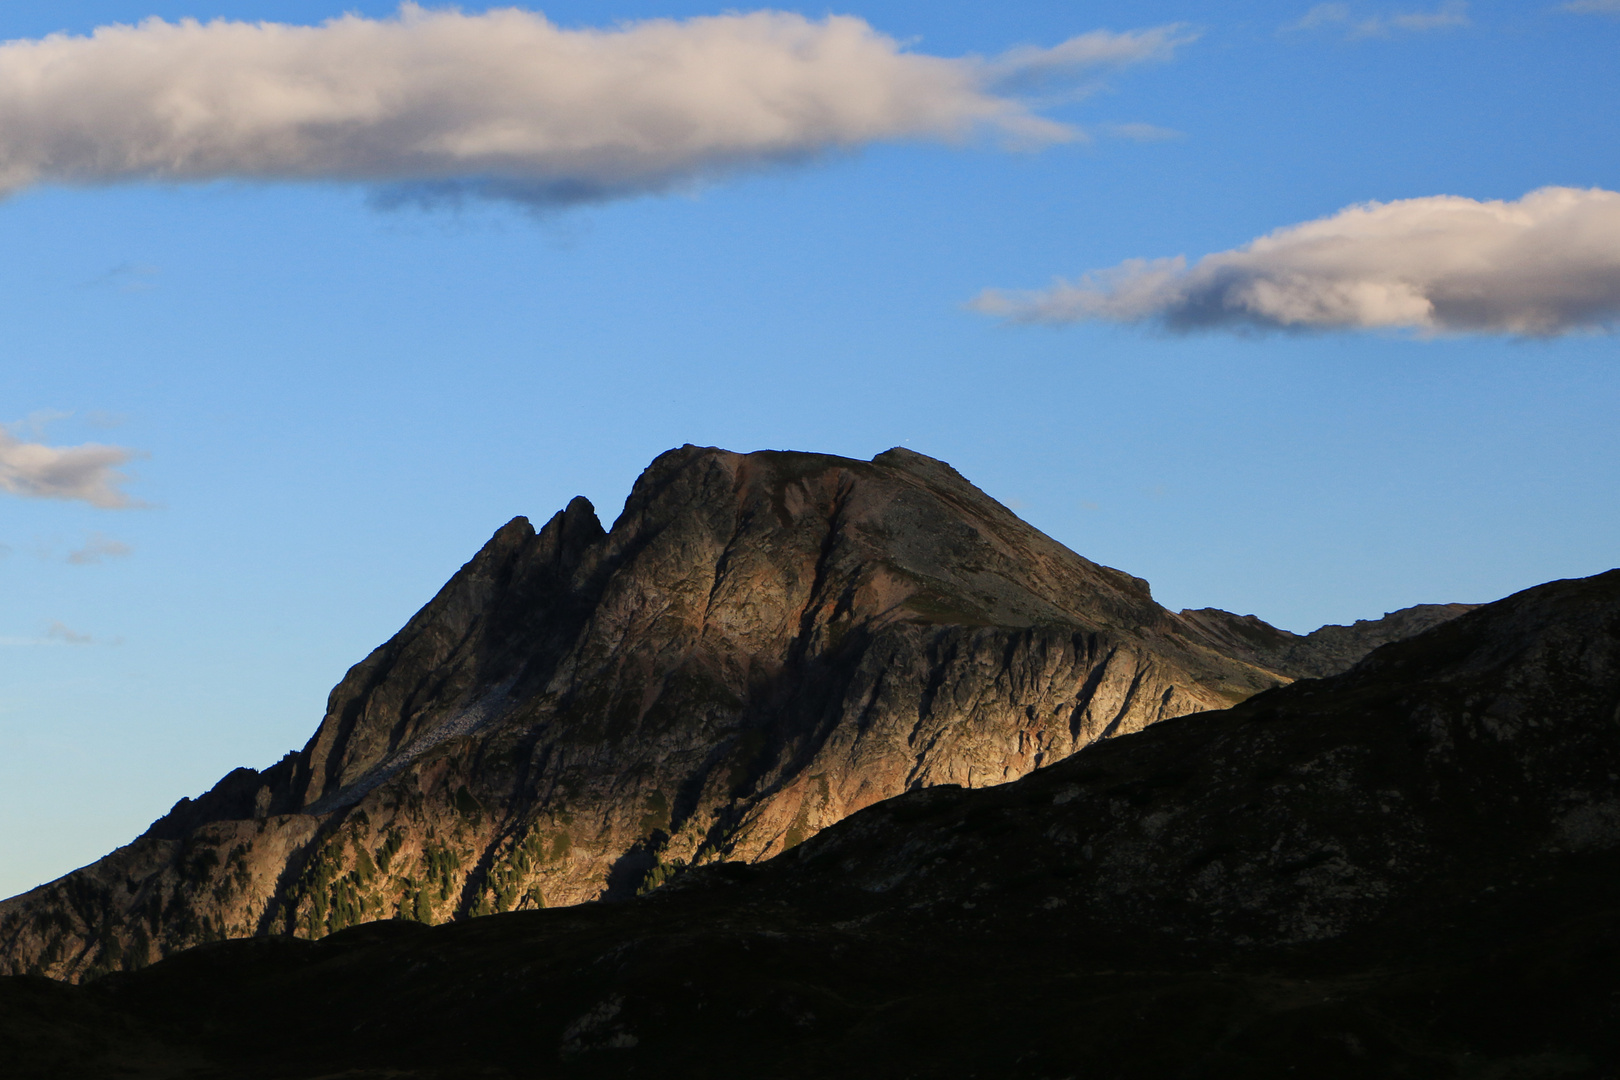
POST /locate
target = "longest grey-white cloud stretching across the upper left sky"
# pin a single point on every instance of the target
(501, 104)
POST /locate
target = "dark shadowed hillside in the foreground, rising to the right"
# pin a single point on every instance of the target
(1409, 870)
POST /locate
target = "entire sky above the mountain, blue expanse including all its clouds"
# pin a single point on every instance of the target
(1297, 312)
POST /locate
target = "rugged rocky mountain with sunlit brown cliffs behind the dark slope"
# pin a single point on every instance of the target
(759, 648)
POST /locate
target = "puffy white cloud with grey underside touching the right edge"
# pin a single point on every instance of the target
(1541, 266)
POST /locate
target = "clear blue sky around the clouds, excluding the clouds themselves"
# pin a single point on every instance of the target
(335, 404)
